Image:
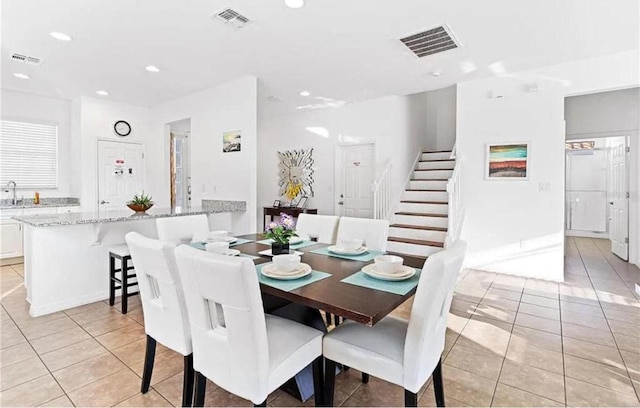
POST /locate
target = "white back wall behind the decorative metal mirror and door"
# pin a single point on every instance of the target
(397, 126)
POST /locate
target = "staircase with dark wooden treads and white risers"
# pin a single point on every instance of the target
(421, 221)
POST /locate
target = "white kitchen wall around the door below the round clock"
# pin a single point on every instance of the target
(95, 122)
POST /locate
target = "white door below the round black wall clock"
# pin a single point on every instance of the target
(120, 173)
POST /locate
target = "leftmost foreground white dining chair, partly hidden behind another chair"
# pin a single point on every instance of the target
(166, 320)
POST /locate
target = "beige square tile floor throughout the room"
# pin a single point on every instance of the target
(511, 342)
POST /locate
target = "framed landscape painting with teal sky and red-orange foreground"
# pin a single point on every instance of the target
(507, 161)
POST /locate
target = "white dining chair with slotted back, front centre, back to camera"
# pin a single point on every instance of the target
(245, 352)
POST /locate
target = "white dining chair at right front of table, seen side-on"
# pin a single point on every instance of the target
(402, 352)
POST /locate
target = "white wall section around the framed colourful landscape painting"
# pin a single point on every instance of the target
(511, 226)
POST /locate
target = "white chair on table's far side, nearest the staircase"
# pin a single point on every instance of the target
(374, 233)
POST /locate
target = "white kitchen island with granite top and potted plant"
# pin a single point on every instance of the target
(66, 256)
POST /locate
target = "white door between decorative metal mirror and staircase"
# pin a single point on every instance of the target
(358, 167)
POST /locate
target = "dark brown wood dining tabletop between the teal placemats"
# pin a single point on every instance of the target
(360, 304)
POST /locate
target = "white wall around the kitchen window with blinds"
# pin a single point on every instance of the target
(29, 107)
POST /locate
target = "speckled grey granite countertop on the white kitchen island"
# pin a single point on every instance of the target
(100, 217)
